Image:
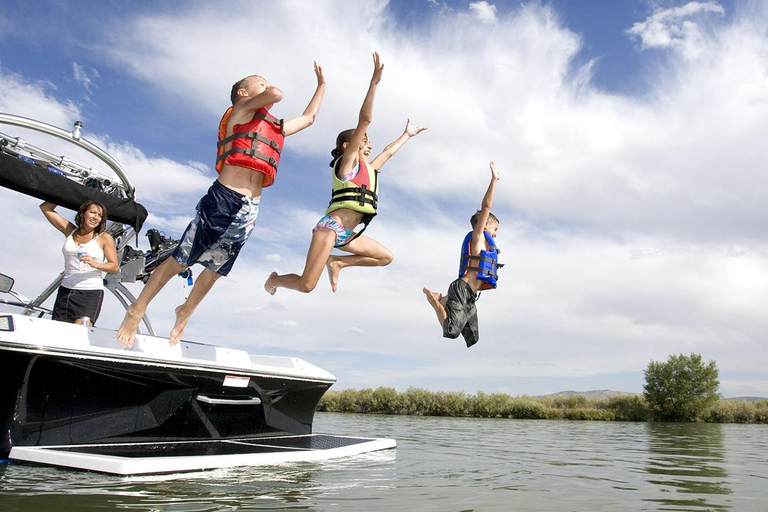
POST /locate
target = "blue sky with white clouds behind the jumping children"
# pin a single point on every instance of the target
(630, 137)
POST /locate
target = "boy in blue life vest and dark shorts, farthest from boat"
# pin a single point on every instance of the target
(457, 312)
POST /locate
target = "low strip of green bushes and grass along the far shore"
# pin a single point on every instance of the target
(420, 402)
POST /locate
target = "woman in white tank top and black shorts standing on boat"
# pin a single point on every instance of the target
(88, 251)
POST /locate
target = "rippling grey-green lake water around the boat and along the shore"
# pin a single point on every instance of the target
(450, 465)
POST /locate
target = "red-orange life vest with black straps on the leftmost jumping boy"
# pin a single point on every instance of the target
(255, 144)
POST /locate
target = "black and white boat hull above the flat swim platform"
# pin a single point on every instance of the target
(84, 393)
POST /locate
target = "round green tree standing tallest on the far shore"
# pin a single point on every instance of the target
(682, 388)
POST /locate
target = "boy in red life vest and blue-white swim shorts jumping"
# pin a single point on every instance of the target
(250, 141)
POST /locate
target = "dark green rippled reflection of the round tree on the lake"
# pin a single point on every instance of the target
(688, 459)
